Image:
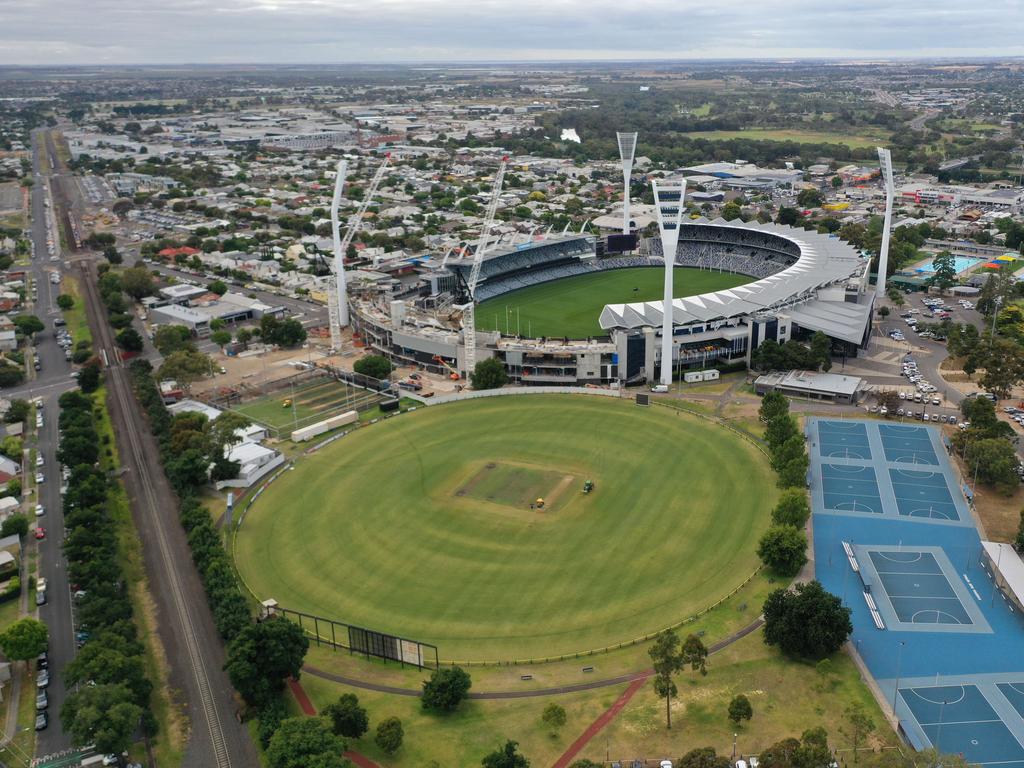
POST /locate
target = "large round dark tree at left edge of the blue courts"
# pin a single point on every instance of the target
(806, 621)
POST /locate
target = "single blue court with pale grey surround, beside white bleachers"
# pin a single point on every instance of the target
(918, 588)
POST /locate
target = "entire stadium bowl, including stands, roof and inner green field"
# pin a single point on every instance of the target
(560, 312)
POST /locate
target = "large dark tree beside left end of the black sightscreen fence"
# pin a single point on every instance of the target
(263, 657)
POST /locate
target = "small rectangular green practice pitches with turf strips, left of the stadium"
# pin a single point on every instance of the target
(312, 402)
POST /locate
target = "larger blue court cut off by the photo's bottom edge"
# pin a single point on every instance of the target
(958, 719)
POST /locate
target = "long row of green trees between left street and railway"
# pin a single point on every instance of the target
(110, 699)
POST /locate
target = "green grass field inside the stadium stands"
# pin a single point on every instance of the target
(572, 307)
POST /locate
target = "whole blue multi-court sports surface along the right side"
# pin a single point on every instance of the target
(895, 538)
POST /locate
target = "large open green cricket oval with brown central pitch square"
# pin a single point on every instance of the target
(421, 526)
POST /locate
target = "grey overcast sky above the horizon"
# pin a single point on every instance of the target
(54, 32)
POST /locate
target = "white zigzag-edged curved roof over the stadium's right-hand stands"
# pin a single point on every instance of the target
(824, 261)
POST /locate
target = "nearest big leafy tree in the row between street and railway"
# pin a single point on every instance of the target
(102, 715)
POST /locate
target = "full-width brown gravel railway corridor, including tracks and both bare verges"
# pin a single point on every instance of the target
(186, 625)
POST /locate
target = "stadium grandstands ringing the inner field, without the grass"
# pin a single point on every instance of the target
(804, 282)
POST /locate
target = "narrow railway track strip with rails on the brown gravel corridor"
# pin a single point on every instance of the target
(152, 502)
